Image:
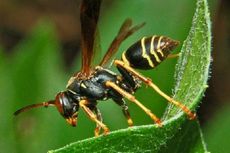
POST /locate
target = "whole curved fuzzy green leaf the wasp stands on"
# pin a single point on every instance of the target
(177, 134)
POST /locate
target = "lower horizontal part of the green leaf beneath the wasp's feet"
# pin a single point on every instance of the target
(144, 139)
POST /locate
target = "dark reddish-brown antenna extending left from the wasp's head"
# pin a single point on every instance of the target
(26, 108)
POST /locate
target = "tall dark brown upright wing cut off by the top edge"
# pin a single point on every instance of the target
(89, 14)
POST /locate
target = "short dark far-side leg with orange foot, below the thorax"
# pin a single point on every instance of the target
(125, 110)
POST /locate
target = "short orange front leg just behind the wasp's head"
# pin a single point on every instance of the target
(92, 116)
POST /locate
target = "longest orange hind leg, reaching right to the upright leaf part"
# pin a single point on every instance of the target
(151, 84)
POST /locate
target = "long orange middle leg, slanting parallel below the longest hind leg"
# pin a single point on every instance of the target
(133, 99)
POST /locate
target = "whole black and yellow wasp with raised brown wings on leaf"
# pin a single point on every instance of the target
(92, 84)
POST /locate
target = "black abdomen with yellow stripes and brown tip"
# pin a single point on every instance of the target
(149, 52)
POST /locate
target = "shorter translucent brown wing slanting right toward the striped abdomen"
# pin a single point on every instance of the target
(125, 31)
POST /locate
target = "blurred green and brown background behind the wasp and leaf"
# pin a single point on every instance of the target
(40, 50)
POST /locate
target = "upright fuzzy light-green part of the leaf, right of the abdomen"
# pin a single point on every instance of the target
(192, 70)
